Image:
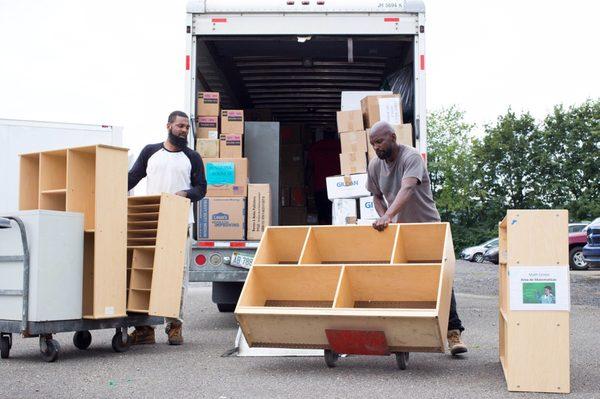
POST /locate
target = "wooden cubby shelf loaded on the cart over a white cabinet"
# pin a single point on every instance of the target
(91, 180)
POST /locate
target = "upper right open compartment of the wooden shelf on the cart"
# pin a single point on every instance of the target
(81, 183)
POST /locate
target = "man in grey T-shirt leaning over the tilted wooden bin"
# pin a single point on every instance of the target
(399, 182)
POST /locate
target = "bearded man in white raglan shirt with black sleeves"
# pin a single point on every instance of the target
(170, 167)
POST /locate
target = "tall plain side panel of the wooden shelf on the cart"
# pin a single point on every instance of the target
(110, 271)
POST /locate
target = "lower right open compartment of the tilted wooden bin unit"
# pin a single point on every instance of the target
(396, 287)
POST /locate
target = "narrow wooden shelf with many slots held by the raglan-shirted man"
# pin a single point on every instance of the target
(156, 244)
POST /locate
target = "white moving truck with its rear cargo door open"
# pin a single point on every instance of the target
(286, 63)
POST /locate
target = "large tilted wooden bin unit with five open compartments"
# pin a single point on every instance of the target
(345, 278)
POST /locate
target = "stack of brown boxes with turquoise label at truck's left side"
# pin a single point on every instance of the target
(222, 213)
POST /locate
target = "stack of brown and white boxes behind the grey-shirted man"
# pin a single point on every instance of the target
(352, 202)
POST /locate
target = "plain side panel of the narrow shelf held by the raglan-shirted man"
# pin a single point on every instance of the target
(169, 258)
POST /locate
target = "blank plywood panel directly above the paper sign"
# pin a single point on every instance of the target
(542, 230)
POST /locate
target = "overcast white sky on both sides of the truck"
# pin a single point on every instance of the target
(122, 62)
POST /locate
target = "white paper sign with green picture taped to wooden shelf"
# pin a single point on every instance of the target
(539, 288)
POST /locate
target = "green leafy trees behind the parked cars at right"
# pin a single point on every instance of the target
(517, 164)
